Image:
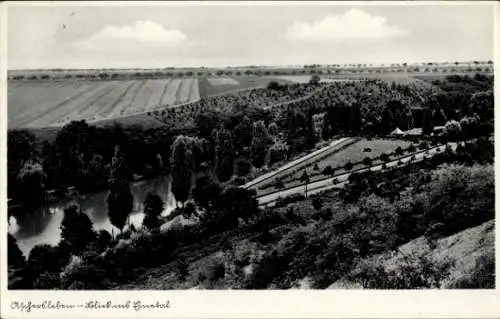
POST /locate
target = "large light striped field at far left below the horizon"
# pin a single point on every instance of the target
(44, 103)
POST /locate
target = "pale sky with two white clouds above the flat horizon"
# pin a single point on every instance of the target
(190, 35)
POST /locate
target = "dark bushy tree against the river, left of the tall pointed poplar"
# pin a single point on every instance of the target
(76, 229)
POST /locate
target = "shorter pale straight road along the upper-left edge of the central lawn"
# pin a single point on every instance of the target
(335, 145)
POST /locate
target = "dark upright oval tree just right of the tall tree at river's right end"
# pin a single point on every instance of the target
(224, 154)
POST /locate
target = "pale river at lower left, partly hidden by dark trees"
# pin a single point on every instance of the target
(43, 228)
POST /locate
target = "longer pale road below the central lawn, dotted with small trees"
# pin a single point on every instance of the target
(342, 179)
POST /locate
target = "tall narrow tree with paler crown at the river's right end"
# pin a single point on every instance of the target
(182, 165)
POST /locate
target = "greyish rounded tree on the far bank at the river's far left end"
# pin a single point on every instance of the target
(31, 183)
